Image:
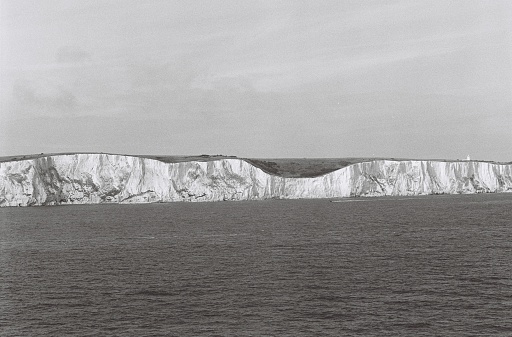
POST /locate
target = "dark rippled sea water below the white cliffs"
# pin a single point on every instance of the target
(423, 266)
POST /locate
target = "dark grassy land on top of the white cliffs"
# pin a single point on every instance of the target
(284, 167)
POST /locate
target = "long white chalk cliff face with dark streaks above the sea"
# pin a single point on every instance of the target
(98, 178)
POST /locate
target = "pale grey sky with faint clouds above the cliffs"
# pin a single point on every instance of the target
(263, 79)
